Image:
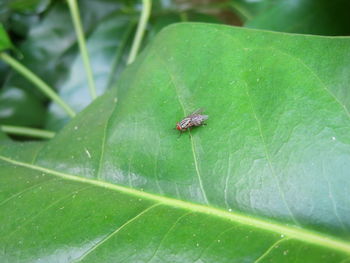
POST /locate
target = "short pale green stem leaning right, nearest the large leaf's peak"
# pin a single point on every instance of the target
(146, 11)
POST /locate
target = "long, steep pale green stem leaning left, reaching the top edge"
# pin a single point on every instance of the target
(74, 10)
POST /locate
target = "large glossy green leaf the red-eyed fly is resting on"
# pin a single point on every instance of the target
(267, 179)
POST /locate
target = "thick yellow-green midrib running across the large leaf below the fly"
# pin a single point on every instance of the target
(296, 233)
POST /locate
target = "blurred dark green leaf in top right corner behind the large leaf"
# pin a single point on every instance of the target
(321, 17)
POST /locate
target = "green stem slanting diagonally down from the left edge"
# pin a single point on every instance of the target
(46, 89)
